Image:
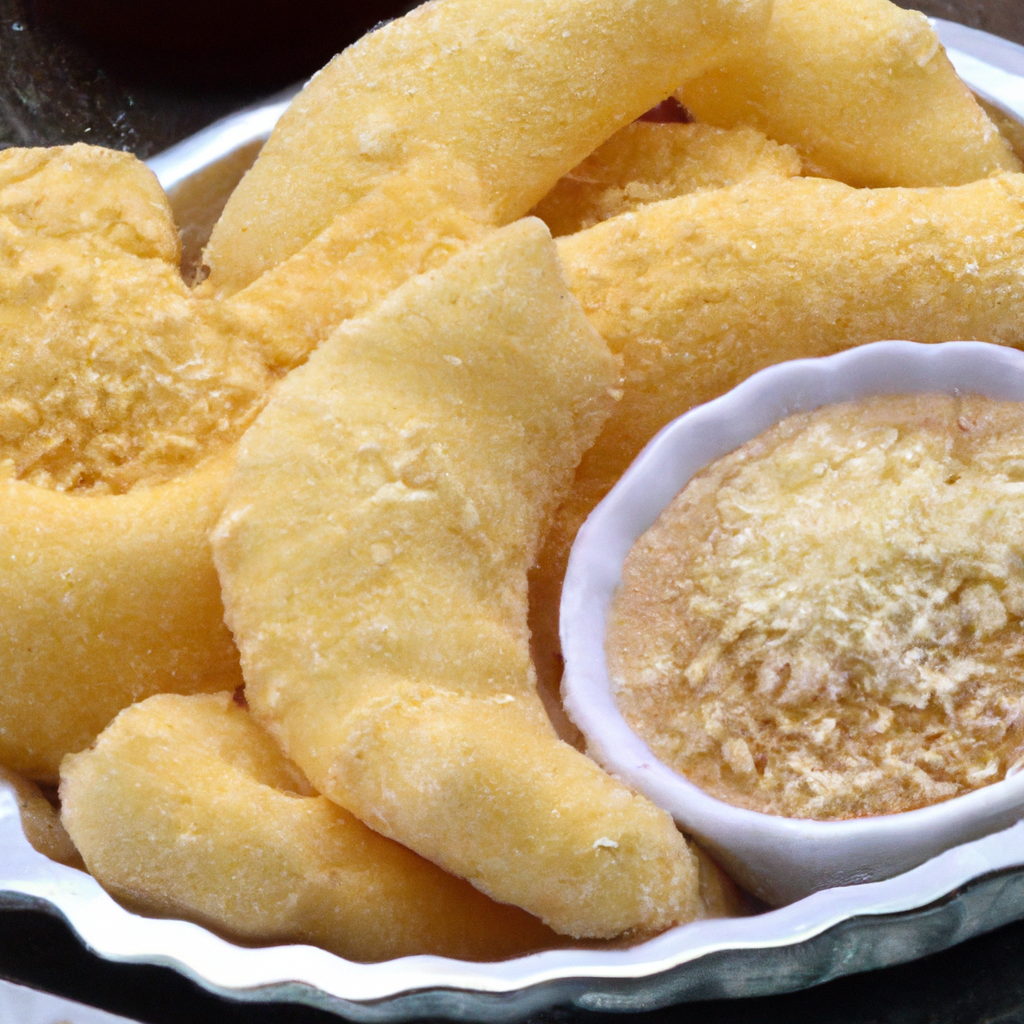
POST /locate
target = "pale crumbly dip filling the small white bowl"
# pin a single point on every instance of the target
(827, 623)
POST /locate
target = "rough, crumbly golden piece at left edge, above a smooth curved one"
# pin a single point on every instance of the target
(110, 375)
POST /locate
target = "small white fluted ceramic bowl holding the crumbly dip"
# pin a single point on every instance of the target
(779, 860)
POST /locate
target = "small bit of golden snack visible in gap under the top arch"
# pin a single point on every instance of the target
(646, 162)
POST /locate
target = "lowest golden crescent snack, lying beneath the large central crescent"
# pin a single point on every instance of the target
(185, 807)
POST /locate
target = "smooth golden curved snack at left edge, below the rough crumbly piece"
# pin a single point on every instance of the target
(105, 602)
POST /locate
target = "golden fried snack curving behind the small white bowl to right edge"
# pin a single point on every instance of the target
(698, 293)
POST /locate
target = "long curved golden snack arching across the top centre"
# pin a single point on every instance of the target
(519, 94)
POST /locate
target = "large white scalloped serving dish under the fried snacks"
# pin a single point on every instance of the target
(964, 892)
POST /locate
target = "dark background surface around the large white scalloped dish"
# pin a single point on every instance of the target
(141, 75)
